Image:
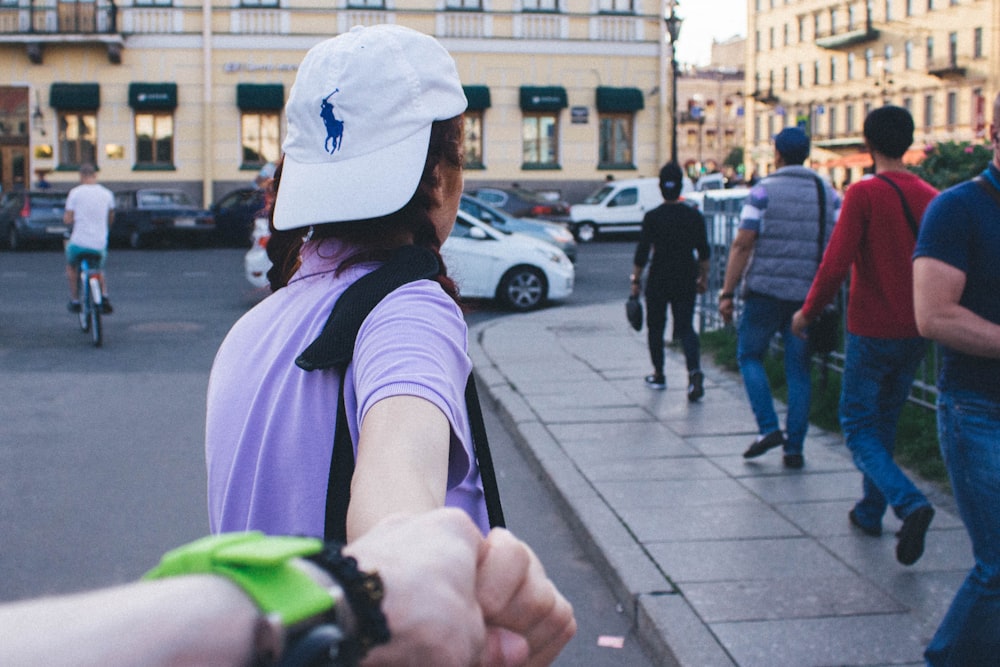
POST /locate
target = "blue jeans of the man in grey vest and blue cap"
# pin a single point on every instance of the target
(764, 316)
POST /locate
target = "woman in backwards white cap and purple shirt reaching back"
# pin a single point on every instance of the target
(372, 162)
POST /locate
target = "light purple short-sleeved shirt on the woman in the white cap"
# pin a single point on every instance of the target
(270, 424)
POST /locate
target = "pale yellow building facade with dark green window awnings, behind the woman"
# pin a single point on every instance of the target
(167, 92)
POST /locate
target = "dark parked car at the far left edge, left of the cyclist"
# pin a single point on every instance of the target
(32, 217)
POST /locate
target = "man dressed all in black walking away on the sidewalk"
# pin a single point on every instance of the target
(676, 234)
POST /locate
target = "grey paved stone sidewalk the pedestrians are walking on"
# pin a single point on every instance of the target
(724, 561)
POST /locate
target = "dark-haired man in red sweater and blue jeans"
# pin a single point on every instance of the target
(875, 236)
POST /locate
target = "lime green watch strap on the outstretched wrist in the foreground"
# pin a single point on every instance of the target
(261, 566)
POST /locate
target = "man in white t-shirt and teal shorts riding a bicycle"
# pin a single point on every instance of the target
(90, 212)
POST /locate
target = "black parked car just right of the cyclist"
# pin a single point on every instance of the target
(159, 213)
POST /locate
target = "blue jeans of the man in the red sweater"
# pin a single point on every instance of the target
(878, 373)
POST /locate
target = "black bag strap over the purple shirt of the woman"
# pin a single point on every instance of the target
(334, 348)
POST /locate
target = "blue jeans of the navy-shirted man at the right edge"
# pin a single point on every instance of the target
(969, 431)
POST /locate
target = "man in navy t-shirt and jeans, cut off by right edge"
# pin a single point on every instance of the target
(956, 288)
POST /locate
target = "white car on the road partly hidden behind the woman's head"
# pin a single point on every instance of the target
(520, 271)
